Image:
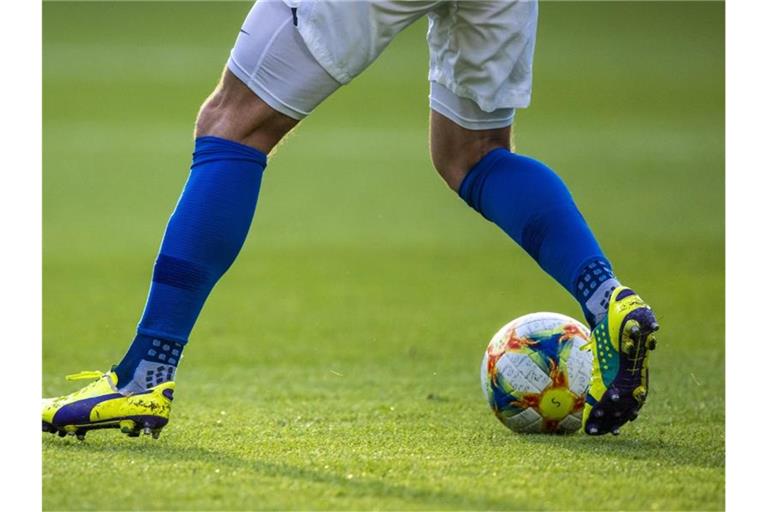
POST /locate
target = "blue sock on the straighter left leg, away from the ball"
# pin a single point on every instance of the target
(202, 239)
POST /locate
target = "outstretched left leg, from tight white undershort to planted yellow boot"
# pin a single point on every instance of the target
(272, 82)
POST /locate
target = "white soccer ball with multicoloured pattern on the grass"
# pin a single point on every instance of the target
(535, 375)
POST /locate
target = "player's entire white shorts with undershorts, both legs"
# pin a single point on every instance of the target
(295, 53)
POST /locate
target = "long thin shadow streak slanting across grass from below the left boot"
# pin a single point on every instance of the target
(360, 486)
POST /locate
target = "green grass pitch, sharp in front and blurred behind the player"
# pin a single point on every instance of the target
(336, 364)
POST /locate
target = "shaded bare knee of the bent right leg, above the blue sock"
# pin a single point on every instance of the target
(455, 150)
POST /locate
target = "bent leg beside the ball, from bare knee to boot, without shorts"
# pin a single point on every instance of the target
(532, 205)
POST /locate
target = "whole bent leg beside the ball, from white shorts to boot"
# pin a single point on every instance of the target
(470, 129)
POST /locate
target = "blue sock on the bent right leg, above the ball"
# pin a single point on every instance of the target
(530, 203)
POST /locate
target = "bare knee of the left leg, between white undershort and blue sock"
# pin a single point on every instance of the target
(235, 113)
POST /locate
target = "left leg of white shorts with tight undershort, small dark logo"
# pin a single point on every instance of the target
(295, 53)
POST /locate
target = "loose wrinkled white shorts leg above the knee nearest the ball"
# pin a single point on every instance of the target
(483, 50)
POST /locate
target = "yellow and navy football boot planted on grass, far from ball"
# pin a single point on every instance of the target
(100, 405)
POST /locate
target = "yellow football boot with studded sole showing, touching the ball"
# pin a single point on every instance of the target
(620, 346)
